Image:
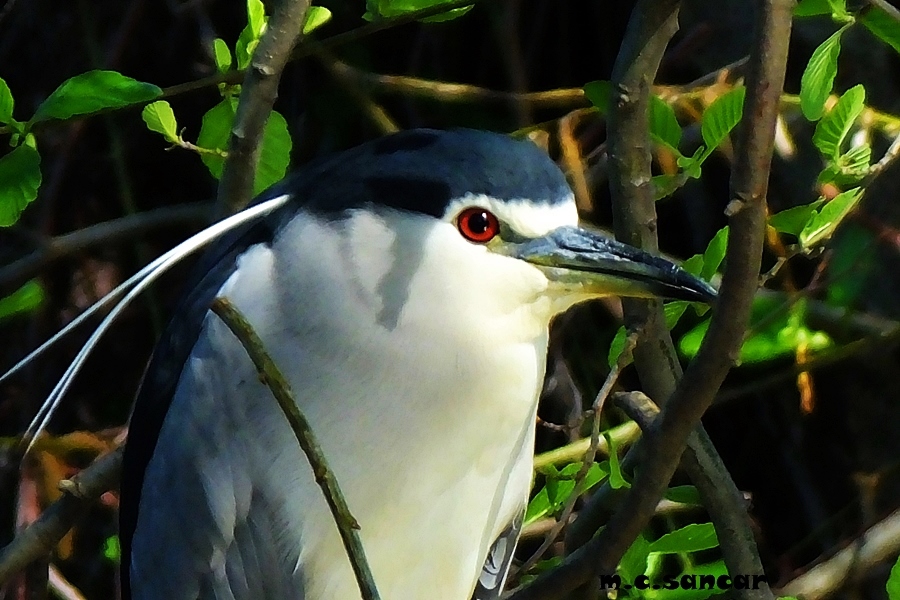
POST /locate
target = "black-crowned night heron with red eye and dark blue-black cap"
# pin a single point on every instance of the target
(405, 288)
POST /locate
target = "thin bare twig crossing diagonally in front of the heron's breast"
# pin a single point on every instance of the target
(273, 378)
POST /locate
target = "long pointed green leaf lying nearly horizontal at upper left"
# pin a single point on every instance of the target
(93, 91)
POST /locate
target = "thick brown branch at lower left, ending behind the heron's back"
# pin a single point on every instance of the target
(40, 537)
